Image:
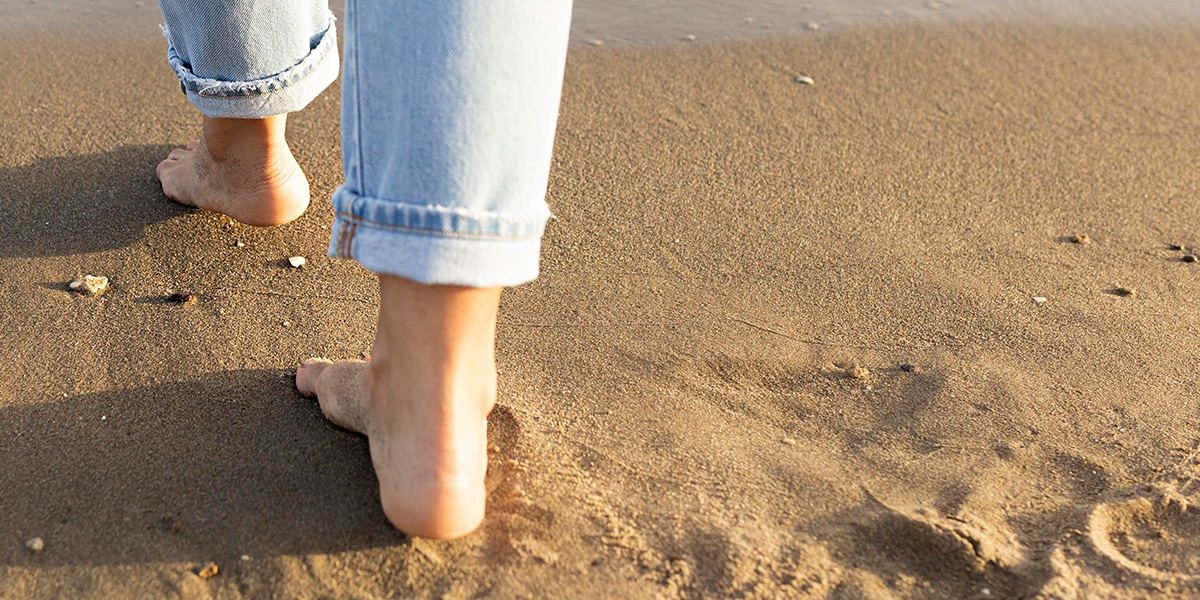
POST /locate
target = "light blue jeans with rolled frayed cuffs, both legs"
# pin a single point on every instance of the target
(449, 111)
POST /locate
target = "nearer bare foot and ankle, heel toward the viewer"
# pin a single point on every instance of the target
(423, 403)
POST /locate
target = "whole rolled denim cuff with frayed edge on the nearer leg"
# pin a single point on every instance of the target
(436, 245)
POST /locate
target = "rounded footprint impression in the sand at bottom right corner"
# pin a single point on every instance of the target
(1155, 538)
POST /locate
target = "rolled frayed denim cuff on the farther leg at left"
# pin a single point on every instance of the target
(286, 92)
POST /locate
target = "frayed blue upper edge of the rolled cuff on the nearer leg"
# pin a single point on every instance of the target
(435, 220)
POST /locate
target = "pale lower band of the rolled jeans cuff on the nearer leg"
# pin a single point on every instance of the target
(430, 259)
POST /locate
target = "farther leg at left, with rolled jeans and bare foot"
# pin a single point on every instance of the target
(245, 65)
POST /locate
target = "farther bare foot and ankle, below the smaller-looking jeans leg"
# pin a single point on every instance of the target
(242, 169)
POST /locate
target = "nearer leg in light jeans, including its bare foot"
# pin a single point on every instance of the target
(448, 124)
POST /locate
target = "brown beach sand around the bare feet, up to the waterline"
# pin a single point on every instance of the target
(676, 416)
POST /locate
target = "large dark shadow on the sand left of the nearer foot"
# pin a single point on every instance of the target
(232, 464)
